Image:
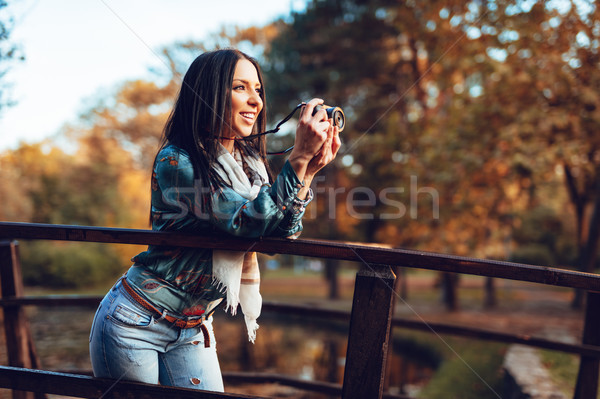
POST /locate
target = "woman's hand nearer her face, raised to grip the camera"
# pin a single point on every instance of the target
(311, 134)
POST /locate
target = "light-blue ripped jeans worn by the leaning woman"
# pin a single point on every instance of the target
(127, 342)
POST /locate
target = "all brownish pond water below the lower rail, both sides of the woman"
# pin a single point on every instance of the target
(289, 345)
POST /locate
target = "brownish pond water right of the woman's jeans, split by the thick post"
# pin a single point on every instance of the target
(313, 350)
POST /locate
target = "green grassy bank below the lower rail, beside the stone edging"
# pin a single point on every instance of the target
(475, 372)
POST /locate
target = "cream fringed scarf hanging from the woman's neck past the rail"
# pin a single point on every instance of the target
(238, 272)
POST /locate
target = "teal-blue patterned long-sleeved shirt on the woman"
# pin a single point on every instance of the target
(180, 279)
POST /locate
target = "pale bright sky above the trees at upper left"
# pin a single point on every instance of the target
(76, 50)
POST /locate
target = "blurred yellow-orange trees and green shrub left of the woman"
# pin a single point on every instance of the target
(104, 179)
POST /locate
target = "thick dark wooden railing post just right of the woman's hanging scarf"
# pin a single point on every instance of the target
(369, 333)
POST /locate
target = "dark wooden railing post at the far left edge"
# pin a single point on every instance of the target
(19, 346)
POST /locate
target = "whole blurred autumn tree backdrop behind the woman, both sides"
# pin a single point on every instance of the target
(473, 128)
